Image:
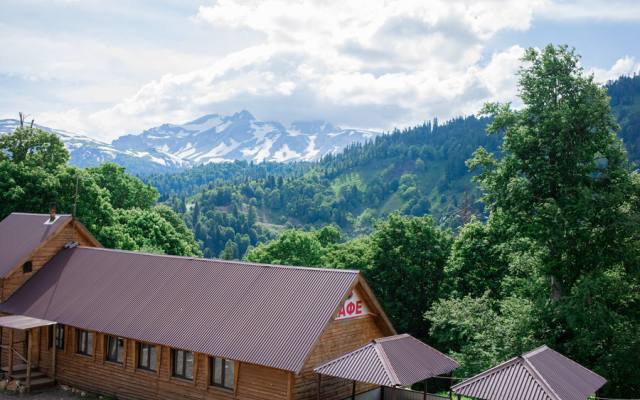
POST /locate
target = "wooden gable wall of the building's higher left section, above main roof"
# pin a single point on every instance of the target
(46, 251)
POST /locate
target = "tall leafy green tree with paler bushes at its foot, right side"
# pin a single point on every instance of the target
(564, 218)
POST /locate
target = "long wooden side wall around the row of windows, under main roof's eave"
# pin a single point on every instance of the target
(125, 381)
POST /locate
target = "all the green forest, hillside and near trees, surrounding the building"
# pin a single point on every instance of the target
(541, 249)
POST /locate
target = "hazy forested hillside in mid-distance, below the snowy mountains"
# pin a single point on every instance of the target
(417, 171)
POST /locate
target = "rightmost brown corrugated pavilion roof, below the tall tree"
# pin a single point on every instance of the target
(542, 374)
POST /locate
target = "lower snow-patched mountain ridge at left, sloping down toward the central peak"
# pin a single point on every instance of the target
(85, 151)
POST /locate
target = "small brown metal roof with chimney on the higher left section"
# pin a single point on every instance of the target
(21, 233)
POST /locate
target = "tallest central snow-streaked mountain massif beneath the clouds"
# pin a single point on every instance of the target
(215, 138)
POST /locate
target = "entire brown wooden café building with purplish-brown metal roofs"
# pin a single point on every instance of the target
(145, 326)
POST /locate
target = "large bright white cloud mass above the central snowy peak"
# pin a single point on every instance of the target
(396, 62)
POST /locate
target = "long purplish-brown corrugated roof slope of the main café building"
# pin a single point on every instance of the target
(263, 314)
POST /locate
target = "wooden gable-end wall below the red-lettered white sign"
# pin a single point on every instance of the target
(342, 336)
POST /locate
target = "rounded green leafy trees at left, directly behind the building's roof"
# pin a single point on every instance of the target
(115, 207)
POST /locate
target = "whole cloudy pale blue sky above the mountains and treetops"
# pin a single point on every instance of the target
(110, 68)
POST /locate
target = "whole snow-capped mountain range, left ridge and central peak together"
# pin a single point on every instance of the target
(212, 138)
